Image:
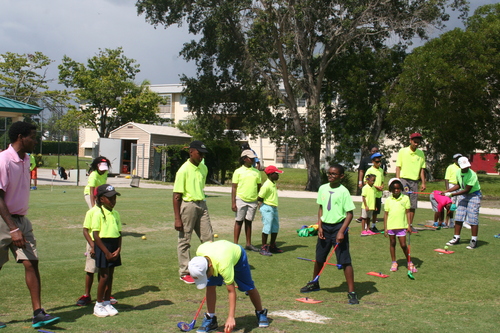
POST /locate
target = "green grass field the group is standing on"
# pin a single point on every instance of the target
(450, 293)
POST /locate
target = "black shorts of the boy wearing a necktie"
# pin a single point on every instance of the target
(324, 246)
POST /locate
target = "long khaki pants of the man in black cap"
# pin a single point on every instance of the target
(194, 215)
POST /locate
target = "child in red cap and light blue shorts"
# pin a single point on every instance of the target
(268, 200)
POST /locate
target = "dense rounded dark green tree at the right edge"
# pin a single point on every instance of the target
(450, 89)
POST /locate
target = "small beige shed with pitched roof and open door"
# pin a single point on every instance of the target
(138, 142)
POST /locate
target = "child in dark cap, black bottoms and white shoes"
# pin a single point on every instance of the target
(106, 228)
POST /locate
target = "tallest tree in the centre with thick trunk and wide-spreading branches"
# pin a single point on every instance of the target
(253, 55)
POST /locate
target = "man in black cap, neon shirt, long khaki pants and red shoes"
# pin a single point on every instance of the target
(190, 206)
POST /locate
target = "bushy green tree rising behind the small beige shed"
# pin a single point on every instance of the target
(106, 90)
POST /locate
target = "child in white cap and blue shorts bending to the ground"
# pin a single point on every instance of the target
(224, 262)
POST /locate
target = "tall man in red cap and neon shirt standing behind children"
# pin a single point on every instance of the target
(410, 166)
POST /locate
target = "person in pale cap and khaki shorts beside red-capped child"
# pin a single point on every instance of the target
(244, 192)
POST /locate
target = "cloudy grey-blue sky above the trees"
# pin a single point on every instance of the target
(78, 28)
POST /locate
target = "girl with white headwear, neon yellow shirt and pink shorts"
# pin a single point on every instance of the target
(397, 221)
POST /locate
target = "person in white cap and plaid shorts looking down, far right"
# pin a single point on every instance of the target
(469, 201)
